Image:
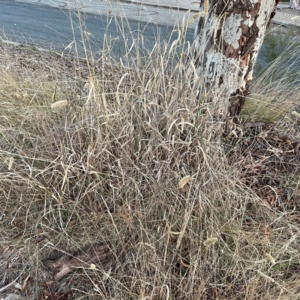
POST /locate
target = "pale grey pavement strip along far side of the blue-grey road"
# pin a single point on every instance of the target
(164, 12)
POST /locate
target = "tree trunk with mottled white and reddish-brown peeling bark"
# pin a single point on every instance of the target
(227, 41)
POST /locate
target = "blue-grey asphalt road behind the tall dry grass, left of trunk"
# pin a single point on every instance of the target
(50, 27)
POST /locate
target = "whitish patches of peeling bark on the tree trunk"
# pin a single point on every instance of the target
(219, 75)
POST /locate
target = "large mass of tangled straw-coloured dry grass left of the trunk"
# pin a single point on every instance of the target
(132, 160)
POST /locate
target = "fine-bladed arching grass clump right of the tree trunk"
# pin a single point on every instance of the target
(275, 92)
